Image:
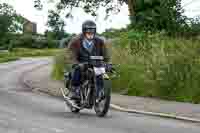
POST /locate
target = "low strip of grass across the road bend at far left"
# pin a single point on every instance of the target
(24, 52)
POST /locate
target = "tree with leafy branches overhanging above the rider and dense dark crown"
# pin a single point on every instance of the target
(144, 14)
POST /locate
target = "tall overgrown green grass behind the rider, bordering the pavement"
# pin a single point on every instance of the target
(153, 66)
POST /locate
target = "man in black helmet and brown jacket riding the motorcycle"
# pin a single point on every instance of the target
(80, 48)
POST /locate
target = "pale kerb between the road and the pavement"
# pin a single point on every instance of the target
(114, 106)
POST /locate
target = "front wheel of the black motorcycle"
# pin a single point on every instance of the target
(101, 107)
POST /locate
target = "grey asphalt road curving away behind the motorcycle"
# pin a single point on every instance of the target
(22, 111)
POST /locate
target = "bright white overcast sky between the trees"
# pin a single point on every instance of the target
(26, 9)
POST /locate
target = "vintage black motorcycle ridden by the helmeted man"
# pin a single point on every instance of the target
(92, 94)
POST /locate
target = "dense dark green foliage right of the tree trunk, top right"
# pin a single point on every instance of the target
(158, 15)
